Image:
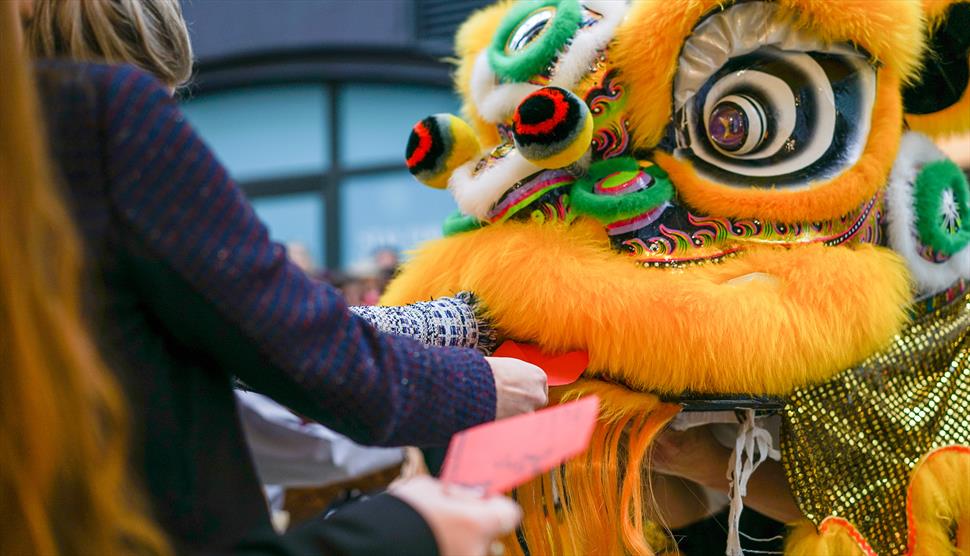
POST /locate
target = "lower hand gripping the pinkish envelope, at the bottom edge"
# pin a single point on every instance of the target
(463, 522)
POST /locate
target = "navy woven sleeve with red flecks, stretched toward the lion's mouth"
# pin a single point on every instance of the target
(174, 198)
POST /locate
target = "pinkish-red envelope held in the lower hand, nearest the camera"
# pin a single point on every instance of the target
(501, 455)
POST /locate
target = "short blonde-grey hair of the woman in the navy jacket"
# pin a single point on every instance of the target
(150, 34)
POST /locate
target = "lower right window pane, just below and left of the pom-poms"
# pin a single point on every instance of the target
(389, 209)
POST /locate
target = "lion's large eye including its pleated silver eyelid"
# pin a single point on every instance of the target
(777, 108)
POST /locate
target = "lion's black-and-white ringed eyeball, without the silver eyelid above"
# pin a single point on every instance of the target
(776, 117)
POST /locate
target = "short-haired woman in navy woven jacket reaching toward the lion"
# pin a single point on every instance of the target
(194, 293)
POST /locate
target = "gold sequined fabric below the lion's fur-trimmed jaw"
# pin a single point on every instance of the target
(849, 445)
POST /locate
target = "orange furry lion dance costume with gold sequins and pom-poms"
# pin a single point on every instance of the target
(723, 199)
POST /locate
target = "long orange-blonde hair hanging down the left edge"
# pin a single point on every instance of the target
(64, 480)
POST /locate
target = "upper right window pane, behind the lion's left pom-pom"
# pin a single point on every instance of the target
(375, 120)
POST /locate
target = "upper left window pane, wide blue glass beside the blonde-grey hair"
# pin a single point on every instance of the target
(265, 132)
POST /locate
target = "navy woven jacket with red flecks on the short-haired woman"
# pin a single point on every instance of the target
(189, 292)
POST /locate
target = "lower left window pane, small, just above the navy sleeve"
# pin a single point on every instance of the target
(295, 218)
